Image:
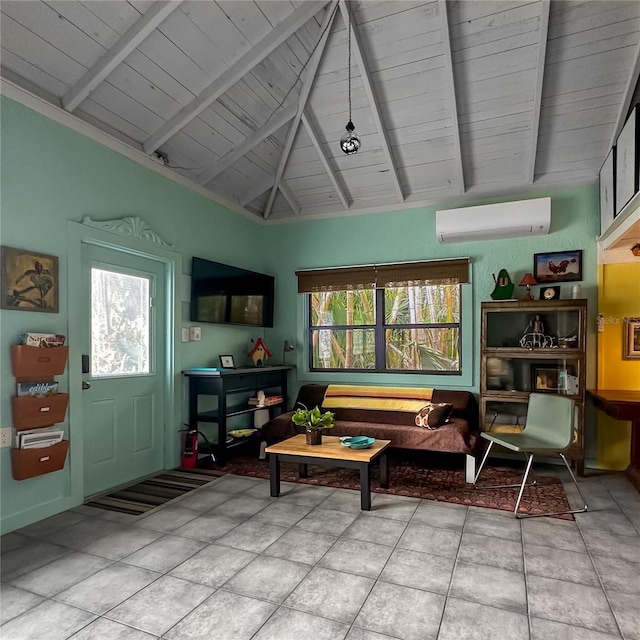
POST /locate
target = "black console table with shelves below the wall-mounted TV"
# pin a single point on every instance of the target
(224, 383)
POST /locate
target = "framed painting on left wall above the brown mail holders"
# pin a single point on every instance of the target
(29, 281)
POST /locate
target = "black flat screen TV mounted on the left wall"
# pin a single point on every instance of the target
(224, 294)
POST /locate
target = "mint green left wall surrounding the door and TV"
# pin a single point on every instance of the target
(51, 174)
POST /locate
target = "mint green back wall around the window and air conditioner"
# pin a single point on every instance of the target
(410, 235)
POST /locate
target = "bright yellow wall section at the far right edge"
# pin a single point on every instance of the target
(618, 297)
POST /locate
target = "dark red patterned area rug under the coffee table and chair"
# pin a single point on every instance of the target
(408, 477)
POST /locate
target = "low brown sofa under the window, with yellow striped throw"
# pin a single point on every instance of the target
(459, 435)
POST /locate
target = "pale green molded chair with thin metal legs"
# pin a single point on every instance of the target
(549, 431)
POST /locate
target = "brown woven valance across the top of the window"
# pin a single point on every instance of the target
(428, 272)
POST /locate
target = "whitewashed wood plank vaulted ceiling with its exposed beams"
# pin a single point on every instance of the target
(451, 99)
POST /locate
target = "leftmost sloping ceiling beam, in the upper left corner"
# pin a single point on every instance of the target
(133, 37)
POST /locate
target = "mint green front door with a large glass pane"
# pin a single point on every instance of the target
(123, 367)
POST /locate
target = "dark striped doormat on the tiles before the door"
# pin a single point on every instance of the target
(143, 496)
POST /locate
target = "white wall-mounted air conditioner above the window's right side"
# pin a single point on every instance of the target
(494, 221)
